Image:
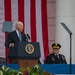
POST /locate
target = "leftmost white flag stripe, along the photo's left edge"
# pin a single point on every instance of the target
(2, 36)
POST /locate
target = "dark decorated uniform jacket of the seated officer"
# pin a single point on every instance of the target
(52, 59)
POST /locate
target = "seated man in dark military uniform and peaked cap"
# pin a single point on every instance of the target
(55, 57)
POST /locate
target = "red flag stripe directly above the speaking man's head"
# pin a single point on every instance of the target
(21, 11)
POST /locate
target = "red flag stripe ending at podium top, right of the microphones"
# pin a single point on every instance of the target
(33, 20)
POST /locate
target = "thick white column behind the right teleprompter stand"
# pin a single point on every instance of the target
(65, 12)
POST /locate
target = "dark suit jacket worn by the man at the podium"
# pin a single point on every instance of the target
(13, 38)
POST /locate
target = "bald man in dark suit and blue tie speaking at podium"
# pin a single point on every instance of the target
(16, 36)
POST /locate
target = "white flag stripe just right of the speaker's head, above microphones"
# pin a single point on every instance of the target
(27, 17)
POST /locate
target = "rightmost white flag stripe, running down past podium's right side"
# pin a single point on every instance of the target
(39, 28)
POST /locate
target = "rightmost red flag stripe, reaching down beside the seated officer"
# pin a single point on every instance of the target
(45, 27)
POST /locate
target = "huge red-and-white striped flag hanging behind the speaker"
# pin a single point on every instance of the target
(33, 13)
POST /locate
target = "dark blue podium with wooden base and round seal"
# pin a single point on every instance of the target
(26, 54)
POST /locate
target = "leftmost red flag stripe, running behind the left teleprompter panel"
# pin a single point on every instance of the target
(7, 6)
